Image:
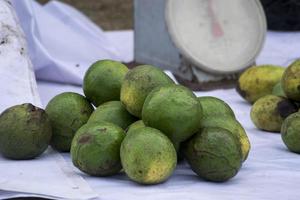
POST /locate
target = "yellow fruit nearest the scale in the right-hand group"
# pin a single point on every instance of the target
(258, 81)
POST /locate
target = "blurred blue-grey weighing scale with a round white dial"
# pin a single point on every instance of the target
(205, 43)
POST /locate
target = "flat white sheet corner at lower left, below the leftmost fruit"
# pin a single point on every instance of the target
(47, 176)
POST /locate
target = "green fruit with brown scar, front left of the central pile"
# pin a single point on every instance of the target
(95, 149)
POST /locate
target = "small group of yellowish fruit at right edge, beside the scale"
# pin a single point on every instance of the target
(275, 94)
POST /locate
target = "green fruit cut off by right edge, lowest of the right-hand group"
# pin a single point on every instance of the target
(290, 132)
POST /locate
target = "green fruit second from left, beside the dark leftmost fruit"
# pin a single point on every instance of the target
(67, 112)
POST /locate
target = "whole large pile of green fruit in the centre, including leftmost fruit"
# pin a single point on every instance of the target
(143, 123)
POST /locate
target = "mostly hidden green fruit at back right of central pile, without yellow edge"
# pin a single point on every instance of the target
(214, 107)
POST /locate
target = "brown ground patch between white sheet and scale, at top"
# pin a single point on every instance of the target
(109, 14)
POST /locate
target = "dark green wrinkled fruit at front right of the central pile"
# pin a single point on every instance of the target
(213, 154)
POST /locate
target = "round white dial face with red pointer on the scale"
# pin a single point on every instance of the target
(217, 36)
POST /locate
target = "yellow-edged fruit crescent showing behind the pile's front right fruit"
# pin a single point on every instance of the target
(234, 127)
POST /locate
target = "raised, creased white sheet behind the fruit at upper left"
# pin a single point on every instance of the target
(63, 43)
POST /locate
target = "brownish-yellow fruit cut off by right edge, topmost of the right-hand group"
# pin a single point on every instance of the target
(291, 81)
